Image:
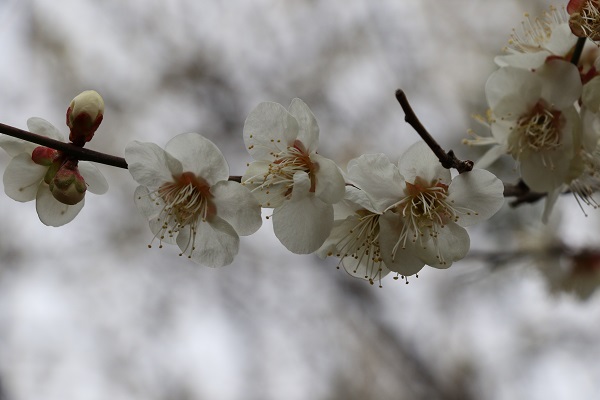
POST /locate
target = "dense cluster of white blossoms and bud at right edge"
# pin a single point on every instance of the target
(544, 105)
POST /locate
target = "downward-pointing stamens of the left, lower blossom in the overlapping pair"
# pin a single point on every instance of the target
(361, 244)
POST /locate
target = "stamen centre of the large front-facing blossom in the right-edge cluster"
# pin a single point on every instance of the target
(539, 130)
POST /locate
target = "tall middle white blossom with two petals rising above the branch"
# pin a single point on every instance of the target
(290, 176)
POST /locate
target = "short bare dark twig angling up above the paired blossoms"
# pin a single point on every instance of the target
(447, 159)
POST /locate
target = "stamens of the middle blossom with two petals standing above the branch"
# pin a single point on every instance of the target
(281, 171)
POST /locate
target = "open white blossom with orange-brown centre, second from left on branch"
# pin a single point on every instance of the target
(188, 200)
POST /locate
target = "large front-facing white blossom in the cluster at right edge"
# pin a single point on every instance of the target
(534, 120)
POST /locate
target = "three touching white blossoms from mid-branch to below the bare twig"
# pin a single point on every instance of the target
(381, 217)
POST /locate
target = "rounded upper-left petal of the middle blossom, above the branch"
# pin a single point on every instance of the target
(269, 129)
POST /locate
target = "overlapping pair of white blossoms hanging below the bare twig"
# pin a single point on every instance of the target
(400, 217)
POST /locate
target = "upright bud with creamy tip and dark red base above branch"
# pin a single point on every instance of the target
(84, 115)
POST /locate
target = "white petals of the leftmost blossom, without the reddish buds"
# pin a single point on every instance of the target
(24, 180)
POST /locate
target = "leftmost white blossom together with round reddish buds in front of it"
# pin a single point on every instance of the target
(58, 184)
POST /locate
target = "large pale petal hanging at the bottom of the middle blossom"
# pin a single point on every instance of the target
(303, 223)
